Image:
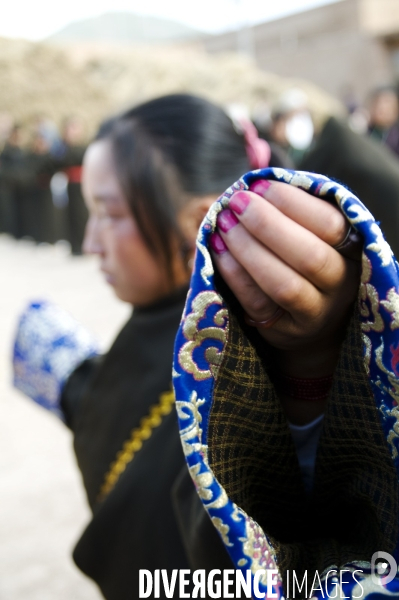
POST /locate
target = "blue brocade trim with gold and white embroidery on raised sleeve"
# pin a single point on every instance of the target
(199, 352)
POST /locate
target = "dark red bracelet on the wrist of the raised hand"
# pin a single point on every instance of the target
(303, 389)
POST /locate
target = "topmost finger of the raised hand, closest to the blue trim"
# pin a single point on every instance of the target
(321, 218)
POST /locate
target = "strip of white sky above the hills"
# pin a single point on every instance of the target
(37, 19)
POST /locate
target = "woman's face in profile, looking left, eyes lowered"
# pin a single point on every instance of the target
(112, 233)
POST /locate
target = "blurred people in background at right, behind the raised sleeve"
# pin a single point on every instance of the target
(360, 150)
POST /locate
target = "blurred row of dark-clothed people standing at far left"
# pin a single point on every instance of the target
(40, 177)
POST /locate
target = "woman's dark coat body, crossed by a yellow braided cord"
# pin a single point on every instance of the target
(137, 525)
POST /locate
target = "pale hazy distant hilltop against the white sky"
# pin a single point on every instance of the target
(124, 28)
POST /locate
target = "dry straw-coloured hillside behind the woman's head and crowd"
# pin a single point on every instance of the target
(94, 81)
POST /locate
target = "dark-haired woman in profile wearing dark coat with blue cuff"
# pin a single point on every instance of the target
(149, 178)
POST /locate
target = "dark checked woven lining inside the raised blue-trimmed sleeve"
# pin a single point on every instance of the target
(353, 507)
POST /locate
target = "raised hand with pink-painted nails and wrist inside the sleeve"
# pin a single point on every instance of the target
(279, 254)
